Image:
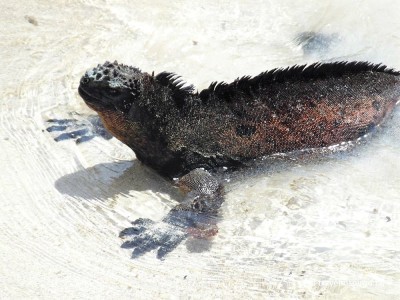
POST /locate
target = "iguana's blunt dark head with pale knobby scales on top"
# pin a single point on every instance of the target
(111, 86)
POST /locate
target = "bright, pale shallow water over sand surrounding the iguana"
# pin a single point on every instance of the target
(325, 227)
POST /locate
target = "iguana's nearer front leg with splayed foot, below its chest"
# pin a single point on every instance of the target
(196, 216)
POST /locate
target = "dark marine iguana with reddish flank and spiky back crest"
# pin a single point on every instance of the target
(182, 133)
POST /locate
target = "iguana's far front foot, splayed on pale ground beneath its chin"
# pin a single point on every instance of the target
(78, 130)
